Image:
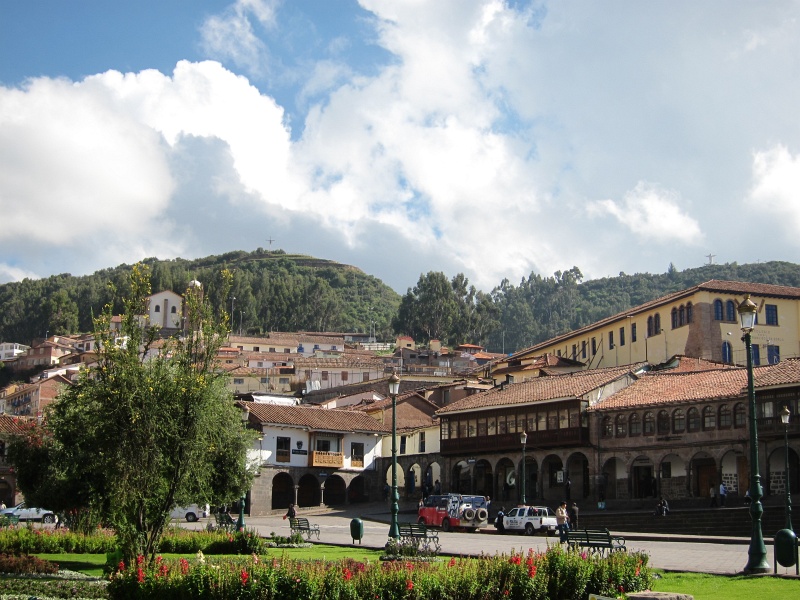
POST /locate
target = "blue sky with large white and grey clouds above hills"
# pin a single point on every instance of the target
(493, 138)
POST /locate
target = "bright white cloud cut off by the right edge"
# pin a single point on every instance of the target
(776, 174)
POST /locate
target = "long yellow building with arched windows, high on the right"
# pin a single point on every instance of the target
(698, 322)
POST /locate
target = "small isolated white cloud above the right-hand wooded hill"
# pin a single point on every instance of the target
(651, 213)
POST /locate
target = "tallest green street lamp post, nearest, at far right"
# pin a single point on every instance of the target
(757, 552)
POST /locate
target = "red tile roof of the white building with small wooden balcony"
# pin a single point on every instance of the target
(318, 419)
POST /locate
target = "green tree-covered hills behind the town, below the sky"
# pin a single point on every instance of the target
(275, 291)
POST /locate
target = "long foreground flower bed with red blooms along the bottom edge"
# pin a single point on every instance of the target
(554, 574)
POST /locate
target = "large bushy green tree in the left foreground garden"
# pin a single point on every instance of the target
(151, 427)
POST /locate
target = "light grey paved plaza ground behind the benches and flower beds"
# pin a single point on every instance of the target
(695, 554)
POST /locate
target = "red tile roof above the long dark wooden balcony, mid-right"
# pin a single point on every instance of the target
(552, 387)
